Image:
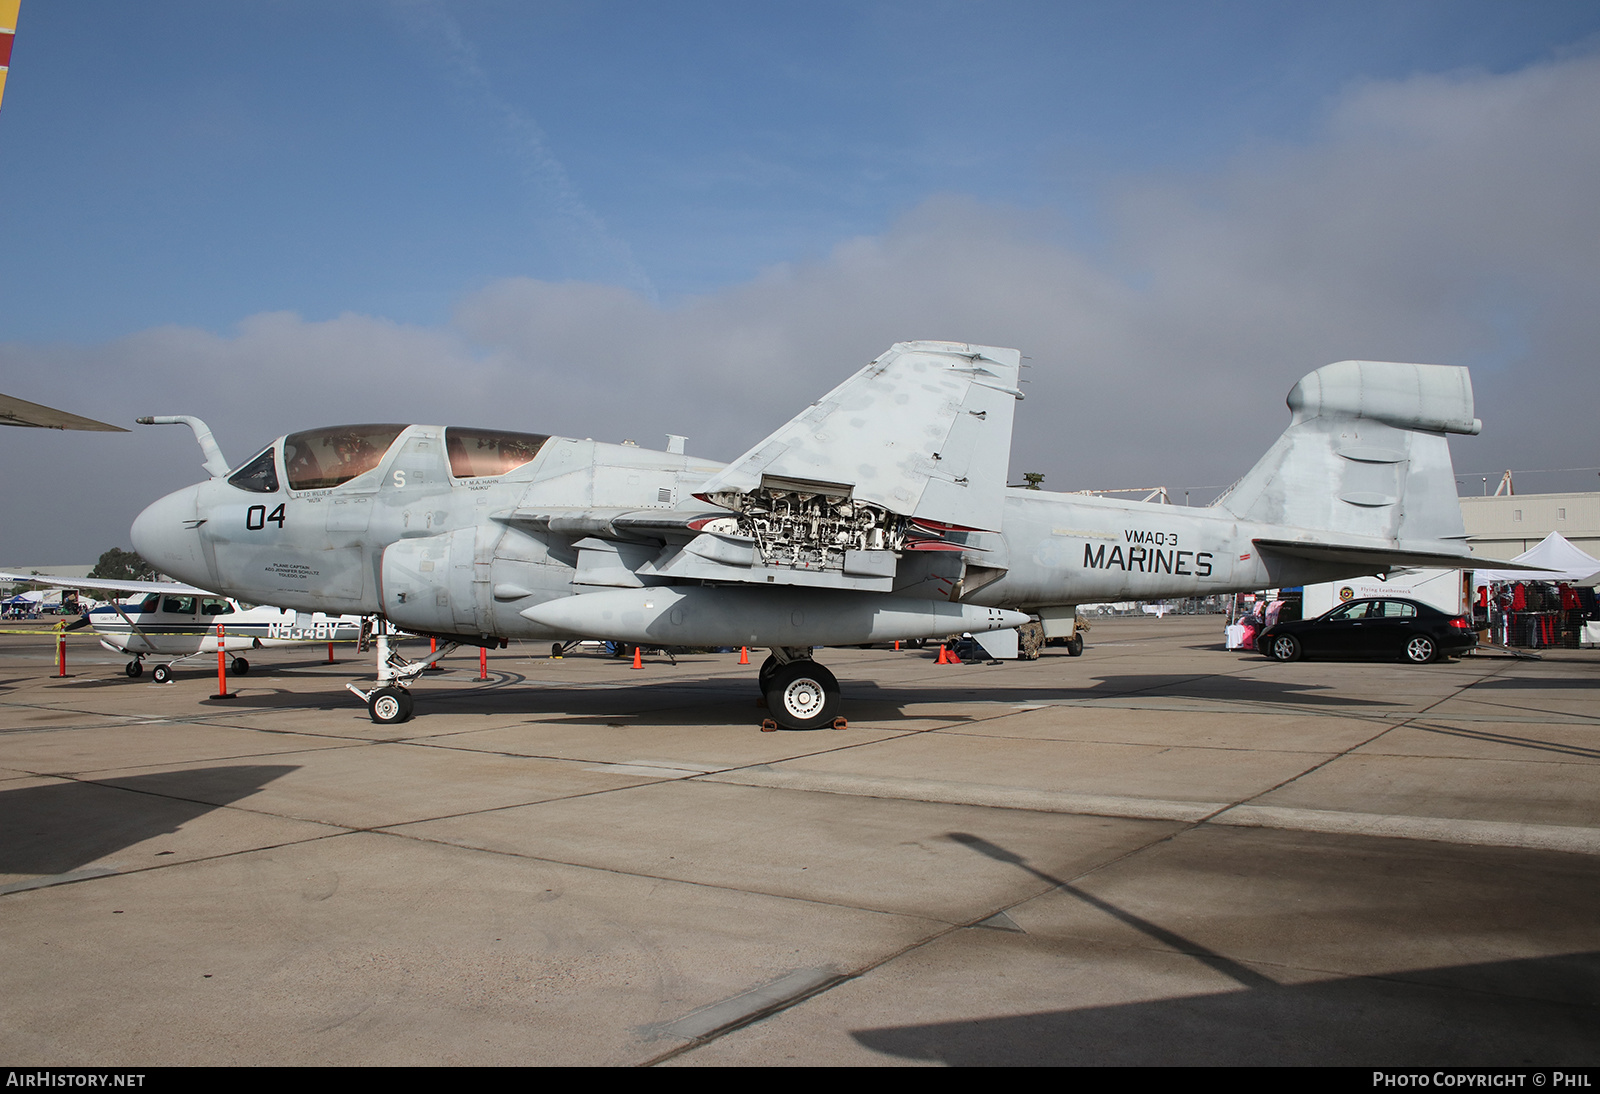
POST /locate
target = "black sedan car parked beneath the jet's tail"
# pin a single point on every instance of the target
(1378, 628)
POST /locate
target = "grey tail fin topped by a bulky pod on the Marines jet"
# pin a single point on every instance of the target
(1366, 457)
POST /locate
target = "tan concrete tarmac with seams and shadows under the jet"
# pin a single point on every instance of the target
(1156, 853)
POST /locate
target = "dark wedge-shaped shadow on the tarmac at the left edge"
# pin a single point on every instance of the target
(60, 828)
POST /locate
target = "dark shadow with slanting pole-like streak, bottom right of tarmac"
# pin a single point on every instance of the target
(1506, 1013)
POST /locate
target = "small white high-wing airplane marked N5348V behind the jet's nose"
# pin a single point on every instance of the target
(178, 623)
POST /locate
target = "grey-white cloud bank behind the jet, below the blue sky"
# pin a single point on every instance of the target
(1441, 220)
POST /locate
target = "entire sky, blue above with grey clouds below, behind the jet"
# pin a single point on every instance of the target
(276, 215)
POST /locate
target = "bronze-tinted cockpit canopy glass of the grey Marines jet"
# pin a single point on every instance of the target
(327, 458)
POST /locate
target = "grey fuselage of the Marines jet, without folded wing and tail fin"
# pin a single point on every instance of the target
(446, 554)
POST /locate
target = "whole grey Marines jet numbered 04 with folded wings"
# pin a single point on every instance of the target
(881, 513)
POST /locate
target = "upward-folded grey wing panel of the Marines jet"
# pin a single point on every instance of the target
(922, 431)
